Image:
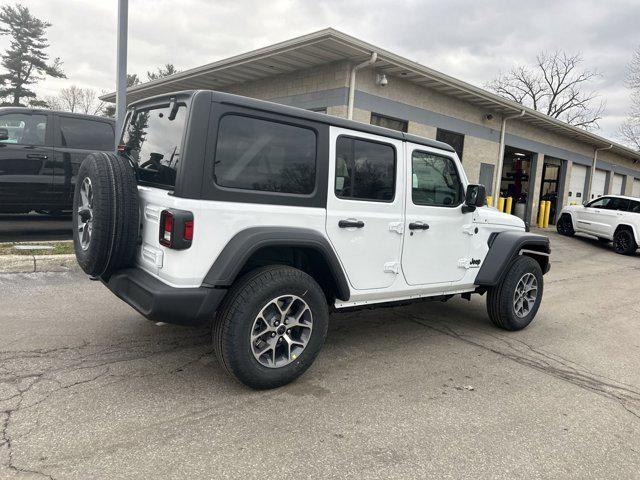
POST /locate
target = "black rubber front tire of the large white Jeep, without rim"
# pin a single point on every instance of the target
(500, 299)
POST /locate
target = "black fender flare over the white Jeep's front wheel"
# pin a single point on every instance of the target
(504, 246)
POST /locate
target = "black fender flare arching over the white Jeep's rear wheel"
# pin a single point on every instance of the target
(245, 243)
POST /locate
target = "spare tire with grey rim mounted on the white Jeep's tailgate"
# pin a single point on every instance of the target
(105, 214)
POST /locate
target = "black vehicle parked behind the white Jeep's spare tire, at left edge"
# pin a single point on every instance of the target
(40, 153)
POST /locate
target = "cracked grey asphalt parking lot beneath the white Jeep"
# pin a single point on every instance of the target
(90, 389)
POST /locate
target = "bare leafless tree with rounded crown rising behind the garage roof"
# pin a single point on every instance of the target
(556, 86)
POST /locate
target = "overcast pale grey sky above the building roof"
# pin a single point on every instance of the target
(469, 39)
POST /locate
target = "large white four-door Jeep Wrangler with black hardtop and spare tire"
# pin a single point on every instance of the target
(265, 218)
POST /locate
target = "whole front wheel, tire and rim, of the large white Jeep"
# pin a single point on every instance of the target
(514, 302)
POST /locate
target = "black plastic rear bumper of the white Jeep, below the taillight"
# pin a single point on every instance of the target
(162, 303)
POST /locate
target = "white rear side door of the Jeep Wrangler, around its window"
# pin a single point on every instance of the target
(370, 252)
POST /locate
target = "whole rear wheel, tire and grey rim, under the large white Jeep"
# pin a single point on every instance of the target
(271, 326)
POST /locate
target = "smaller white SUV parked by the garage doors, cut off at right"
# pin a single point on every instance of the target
(610, 218)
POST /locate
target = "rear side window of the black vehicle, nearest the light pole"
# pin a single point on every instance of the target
(85, 134)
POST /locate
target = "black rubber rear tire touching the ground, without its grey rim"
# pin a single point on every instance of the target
(235, 318)
